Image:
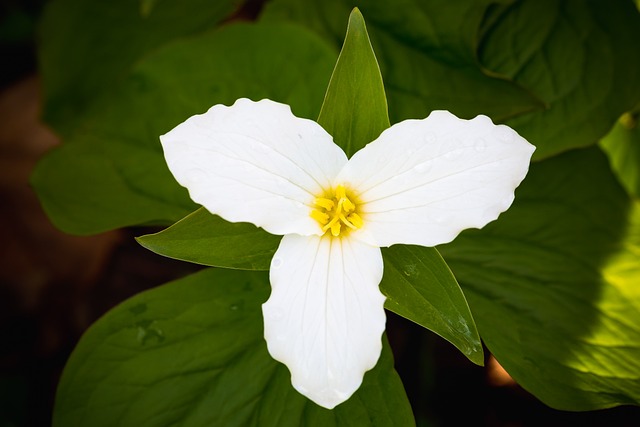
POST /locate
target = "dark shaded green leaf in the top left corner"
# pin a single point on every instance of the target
(87, 47)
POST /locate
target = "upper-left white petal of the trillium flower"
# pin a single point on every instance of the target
(254, 162)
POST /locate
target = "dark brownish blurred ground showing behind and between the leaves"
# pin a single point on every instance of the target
(53, 286)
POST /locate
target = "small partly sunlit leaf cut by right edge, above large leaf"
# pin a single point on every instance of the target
(622, 145)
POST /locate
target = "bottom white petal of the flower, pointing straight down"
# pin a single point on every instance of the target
(325, 317)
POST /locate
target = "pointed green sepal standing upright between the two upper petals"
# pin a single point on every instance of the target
(354, 111)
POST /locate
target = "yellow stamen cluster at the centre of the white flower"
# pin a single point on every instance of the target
(336, 212)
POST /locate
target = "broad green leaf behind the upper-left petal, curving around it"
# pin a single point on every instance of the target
(111, 173)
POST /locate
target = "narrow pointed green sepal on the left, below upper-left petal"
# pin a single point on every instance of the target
(204, 238)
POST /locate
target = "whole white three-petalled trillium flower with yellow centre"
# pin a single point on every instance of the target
(421, 182)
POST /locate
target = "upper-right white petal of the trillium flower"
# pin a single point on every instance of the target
(424, 181)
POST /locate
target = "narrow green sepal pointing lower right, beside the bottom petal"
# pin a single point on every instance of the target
(420, 287)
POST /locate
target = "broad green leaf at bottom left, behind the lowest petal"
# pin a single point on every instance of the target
(192, 353)
